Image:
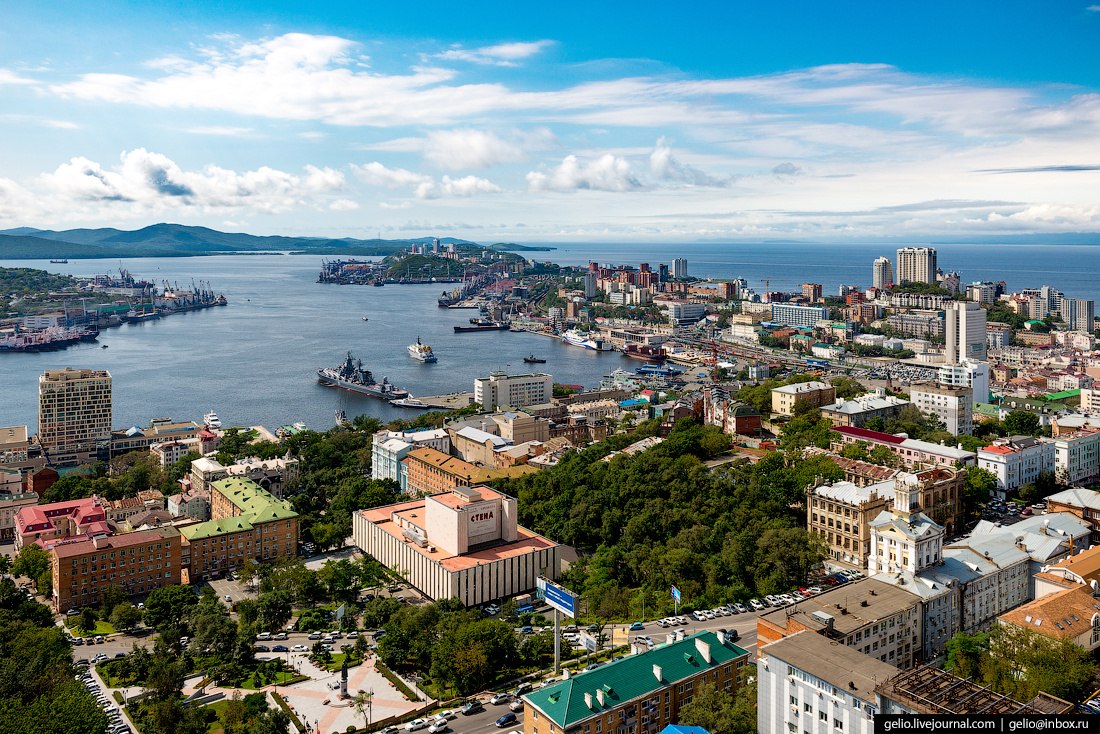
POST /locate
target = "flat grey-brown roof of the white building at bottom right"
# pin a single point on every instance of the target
(835, 663)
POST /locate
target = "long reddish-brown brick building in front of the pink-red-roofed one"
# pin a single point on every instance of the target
(136, 563)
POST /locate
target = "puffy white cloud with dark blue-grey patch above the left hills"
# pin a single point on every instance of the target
(146, 181)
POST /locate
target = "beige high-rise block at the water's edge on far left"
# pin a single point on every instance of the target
(74, 414)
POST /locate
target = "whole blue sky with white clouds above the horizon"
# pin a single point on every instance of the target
(576, 122)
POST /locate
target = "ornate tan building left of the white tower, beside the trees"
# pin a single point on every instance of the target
(841, 514)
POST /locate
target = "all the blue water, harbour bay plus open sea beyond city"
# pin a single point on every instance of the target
(256, 361)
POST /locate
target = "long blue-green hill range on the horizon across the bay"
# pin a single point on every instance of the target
(166, 240)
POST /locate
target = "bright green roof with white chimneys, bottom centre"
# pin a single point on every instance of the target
(632, 678)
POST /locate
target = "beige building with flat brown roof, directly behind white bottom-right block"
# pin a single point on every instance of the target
(871, 616)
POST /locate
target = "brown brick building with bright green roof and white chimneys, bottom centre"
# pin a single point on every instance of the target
(637, 694)
